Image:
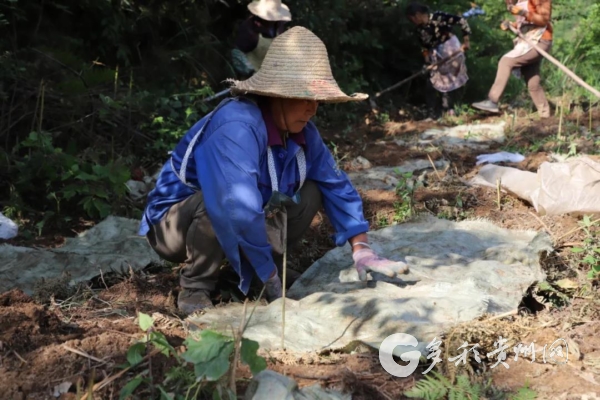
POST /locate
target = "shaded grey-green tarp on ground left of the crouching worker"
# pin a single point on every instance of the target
(113, 244)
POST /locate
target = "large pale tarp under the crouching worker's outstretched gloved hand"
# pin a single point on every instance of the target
(459, 271)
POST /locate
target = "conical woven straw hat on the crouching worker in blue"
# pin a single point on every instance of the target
(296, 66)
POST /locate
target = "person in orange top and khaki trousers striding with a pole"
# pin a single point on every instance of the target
(533, 19)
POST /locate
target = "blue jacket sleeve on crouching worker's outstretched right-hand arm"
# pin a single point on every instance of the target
(341, 200)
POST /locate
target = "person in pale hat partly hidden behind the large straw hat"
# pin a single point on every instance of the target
(256, 33)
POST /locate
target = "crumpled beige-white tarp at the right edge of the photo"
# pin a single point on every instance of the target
(566, 187)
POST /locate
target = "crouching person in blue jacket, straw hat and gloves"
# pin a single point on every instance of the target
(246, 181)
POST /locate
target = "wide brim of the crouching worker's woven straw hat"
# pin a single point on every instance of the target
(321, 91)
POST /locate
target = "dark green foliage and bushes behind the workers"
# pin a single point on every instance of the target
(92, 90)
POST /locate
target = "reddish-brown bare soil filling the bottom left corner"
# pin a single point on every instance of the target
(81, 340)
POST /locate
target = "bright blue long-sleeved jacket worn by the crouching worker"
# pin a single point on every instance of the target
(229, 164)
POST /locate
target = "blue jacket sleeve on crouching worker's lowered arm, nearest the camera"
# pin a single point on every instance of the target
(228, 175)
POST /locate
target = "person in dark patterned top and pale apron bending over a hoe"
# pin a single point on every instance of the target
(435, 33)
